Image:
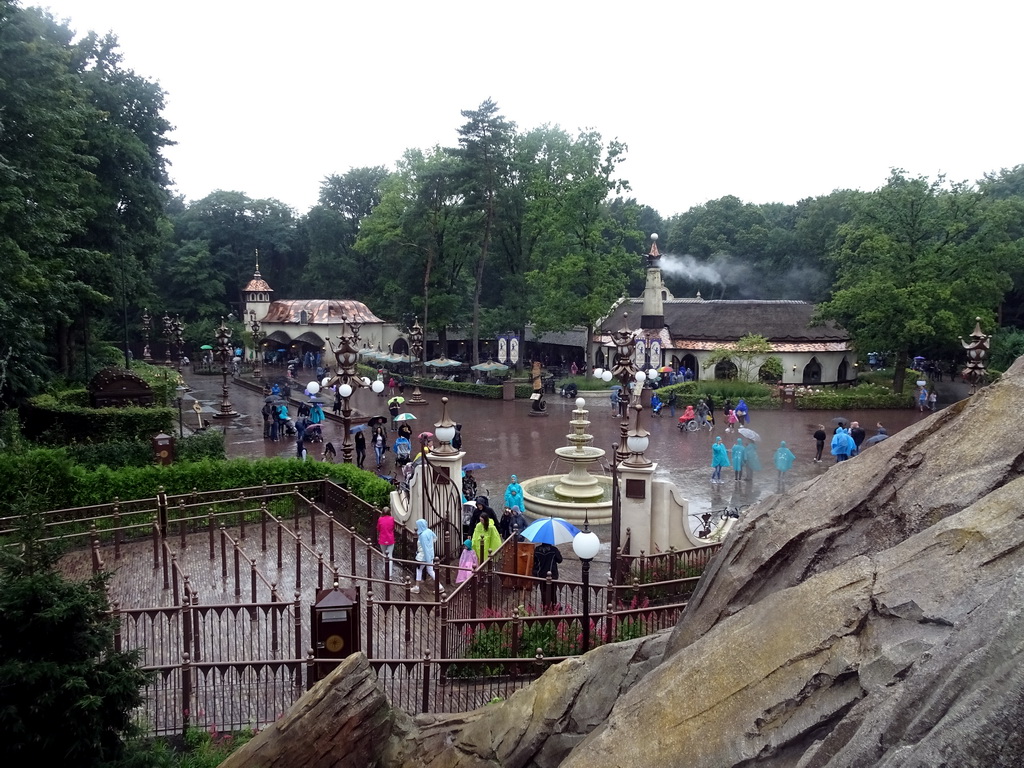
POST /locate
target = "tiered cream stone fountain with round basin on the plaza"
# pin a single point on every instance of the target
(577, 495)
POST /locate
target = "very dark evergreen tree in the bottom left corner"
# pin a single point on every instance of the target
(67, 694)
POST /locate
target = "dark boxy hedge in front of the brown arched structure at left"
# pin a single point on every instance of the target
(58, 420)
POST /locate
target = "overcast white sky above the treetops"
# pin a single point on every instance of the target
(772, 102)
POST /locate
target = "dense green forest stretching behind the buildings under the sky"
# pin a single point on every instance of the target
(507, 228)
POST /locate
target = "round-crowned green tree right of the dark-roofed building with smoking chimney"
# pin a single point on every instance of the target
(916, 266)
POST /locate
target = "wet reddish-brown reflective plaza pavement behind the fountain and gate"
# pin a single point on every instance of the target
(506, 439)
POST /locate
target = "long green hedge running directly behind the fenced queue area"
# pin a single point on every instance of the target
(47, 479)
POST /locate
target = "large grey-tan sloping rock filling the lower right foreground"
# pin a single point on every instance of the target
(871, 618)
